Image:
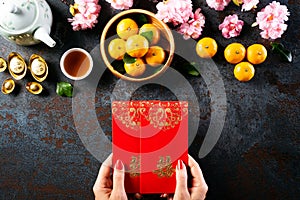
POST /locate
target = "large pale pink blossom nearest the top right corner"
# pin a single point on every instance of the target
(271, 20)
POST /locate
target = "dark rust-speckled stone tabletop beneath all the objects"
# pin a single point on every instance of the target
(256, 157)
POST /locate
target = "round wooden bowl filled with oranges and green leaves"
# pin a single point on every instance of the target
(136, 46)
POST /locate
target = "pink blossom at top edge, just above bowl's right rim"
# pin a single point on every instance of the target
(174, 11)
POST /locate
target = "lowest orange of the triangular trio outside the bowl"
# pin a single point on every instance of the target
(244, 71)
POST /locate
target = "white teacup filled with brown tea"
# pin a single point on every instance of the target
(76, 63)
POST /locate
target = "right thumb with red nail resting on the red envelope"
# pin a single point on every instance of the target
(181, 178)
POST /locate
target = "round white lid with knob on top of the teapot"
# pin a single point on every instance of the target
(17, 15)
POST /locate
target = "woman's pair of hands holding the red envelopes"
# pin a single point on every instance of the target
(105, 188)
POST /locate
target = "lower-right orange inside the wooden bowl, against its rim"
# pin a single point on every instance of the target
(155, 56)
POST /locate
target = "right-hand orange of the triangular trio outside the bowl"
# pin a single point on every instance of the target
(256, 53)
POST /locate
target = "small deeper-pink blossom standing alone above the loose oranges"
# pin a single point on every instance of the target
(231, 26)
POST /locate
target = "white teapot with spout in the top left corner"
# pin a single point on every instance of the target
(26, 22)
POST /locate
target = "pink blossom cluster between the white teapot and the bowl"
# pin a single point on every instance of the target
(85, 14)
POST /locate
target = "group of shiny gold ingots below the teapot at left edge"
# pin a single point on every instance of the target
(17, 68)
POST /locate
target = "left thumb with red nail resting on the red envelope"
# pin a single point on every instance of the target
(118, 177)
